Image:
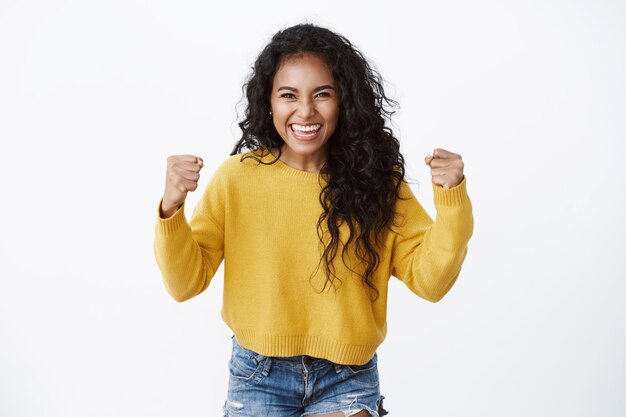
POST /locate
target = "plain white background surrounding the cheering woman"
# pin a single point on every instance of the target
(94, 95)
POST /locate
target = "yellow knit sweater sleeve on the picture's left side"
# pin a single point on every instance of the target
(189, 253)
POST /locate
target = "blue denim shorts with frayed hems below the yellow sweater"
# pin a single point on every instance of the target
(299, 386)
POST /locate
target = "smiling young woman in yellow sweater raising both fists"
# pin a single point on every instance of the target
(311, 222)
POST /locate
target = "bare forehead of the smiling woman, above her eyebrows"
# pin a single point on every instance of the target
(303, 69)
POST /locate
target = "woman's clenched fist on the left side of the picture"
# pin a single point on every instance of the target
(183, 172)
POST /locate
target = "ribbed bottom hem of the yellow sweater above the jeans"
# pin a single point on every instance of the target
(295, 345)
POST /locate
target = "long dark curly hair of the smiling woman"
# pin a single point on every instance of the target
(364, 168)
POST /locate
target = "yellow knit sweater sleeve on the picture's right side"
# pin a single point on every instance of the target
(427, 255)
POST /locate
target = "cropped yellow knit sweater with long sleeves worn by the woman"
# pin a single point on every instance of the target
(262, 221)
